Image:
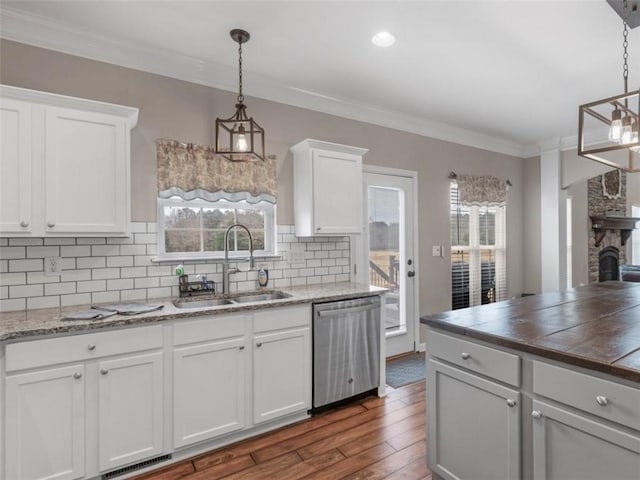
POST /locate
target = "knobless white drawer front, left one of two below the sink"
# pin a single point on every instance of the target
(208, 328)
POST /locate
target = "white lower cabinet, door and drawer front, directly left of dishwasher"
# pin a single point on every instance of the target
(281, 362)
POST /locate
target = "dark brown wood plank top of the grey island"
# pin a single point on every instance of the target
(596, 326)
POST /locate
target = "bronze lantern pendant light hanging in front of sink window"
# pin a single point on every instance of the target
(239, 138)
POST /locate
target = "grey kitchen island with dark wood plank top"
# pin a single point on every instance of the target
(541, 387)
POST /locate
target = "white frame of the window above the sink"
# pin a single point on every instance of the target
(270, 233)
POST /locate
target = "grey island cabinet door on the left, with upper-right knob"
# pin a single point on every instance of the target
(473, 426)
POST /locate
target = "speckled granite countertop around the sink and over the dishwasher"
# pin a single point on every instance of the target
(48, 321)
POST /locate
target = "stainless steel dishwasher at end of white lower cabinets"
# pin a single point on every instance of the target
(346, 349)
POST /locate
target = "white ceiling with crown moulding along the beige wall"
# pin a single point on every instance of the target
(507, 76)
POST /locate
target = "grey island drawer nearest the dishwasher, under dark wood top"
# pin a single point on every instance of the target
(491, 362)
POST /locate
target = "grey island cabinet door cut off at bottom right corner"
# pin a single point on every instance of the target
(567, 446)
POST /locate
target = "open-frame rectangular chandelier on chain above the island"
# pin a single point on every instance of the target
(616, 118)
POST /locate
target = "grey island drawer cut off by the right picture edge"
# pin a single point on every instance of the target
(604, 398)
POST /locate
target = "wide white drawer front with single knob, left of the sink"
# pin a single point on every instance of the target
(73, 348)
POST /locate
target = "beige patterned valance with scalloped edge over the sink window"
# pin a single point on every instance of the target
(193, 171)
